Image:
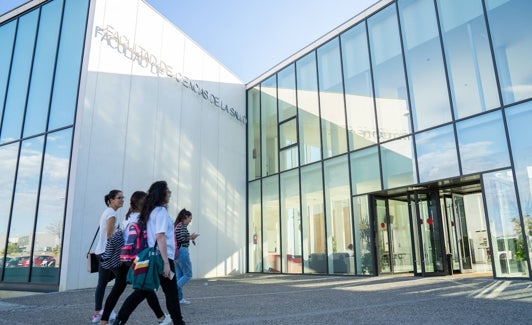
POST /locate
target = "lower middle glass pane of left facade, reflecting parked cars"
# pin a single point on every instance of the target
(21, 232)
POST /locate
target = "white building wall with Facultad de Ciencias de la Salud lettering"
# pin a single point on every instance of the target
(135, 126)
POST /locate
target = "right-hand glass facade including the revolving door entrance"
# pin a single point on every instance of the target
(370, 153)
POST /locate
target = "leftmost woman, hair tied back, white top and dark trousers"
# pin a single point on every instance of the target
(114, 201)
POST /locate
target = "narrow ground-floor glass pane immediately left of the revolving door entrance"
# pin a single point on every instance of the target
(363, 252)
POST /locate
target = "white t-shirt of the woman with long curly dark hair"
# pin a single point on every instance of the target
(160, 222)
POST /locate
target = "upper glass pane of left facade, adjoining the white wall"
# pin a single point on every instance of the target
(68, 69)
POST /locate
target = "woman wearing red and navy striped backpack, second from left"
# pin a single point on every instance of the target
(133, 239)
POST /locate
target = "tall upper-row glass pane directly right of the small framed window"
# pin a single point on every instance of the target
(308, 109)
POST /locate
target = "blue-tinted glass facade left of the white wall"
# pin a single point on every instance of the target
(40, 65)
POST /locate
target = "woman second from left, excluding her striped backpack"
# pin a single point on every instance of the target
(136, 203)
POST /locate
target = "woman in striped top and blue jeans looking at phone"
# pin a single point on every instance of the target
(182, 263)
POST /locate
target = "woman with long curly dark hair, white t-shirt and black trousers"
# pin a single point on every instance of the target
(161, 231)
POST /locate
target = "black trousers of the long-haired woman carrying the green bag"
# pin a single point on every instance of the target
(170, 292)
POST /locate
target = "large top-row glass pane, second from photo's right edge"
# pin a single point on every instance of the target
(468, 57)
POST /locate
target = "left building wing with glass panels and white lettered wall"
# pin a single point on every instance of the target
(107, 94)
